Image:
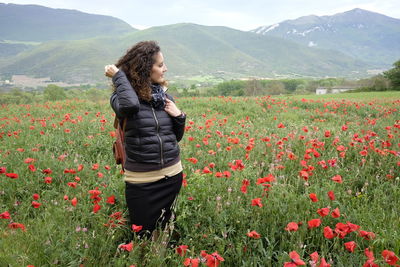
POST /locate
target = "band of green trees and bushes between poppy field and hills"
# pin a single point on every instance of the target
(389, 80)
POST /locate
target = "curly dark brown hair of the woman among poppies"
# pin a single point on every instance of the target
(137, 64)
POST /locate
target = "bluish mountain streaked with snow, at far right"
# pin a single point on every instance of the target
(360, 33)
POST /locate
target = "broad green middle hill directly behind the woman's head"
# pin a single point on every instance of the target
(189, 50)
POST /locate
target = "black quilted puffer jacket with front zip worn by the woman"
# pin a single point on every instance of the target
(151, 135)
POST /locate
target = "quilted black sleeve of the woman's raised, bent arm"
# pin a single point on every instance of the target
(124, 100)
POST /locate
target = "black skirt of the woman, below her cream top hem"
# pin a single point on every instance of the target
(150, 204)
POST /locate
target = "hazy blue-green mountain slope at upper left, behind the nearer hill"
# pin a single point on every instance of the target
(39, 23)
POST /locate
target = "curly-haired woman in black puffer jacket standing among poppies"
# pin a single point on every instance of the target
(154, 126)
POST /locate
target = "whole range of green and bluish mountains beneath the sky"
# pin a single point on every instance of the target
(69, 51)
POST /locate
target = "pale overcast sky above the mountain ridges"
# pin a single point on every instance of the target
(238, 14)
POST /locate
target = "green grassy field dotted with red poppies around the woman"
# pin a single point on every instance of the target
(269, 181)
